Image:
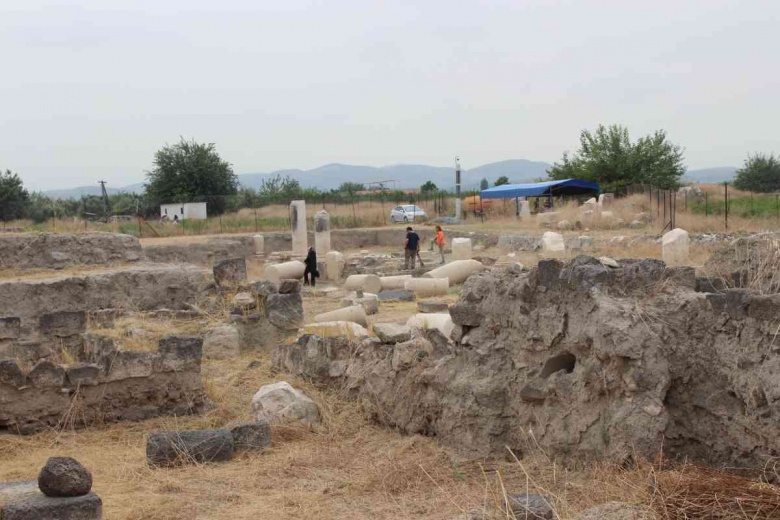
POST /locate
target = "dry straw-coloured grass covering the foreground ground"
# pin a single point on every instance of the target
(350, 470)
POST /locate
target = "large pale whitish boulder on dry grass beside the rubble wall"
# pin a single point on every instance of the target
(280, 401)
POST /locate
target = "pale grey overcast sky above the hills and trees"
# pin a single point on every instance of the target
(90, 89)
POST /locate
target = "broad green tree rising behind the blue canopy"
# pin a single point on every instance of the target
(608, 157)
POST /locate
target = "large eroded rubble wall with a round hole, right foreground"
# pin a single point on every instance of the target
(593, 361)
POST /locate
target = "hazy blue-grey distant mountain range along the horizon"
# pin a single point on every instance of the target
(331, 176)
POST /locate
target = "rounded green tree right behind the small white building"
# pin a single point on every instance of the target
(189, 171)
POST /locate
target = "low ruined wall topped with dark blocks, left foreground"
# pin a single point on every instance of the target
(104, 384)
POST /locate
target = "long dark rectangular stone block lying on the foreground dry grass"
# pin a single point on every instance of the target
(171, 448)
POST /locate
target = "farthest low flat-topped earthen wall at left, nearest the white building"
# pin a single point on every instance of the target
(59, 250)
